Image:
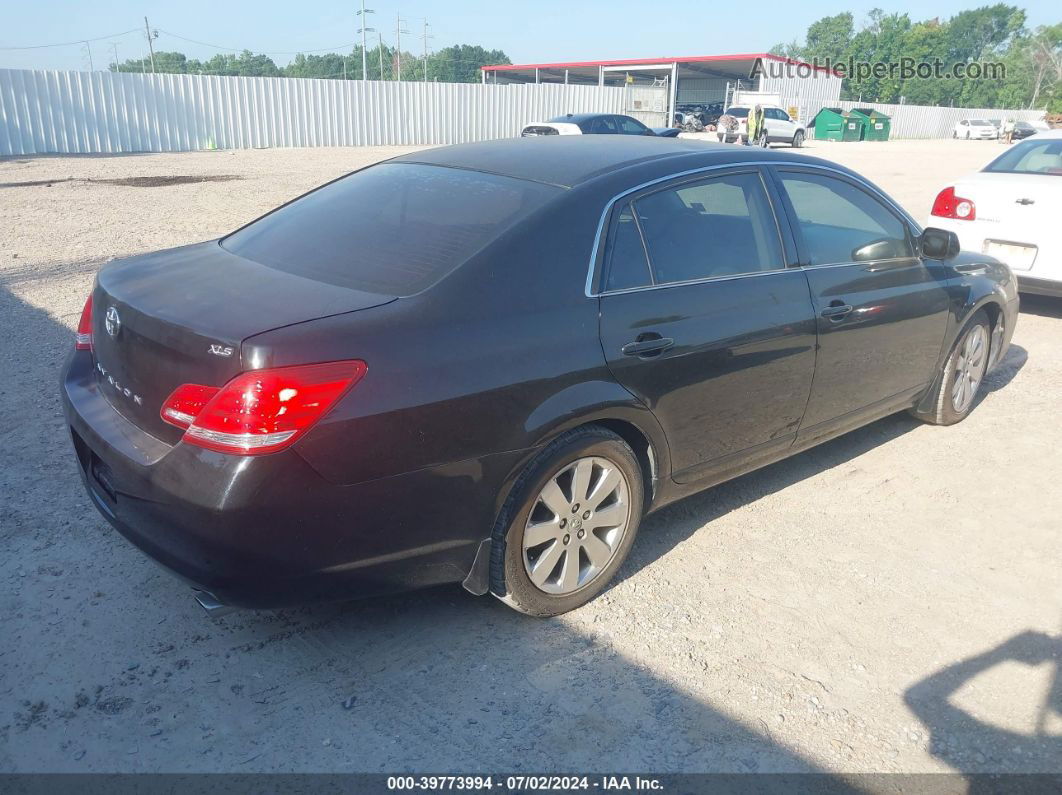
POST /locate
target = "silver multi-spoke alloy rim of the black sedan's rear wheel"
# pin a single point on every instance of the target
(576, 526)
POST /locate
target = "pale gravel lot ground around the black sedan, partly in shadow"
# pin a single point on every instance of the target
(890, 601)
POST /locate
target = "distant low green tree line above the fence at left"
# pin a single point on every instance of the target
(458, 64)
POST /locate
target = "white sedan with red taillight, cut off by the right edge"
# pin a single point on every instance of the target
(1010, 210)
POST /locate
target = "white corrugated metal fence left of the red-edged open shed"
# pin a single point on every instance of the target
(67, 112)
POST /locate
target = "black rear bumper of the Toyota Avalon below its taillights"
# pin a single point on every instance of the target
(269, 531)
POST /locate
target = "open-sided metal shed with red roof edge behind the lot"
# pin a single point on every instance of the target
(694, 80)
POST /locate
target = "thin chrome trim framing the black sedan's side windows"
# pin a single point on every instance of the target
(595, 270)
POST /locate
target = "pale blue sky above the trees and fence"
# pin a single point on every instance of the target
(528, 32)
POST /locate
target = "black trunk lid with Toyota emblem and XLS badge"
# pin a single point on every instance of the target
(179, 317)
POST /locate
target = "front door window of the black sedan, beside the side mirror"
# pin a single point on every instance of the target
(842, 223)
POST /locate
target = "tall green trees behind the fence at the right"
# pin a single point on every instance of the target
(1032, 59)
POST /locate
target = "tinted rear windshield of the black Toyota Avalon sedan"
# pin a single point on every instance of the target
(393, 229)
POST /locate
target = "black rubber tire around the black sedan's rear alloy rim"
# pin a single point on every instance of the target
(510, 581)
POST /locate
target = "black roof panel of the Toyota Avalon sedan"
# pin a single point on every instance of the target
(572, 161)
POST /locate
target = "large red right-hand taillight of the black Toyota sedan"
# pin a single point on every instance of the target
(261, 411)
